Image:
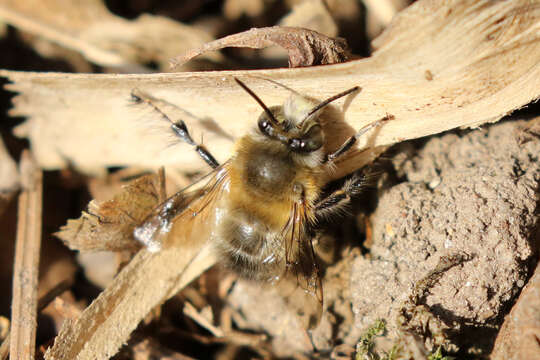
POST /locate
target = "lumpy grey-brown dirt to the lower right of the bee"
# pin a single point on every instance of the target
(473, 194)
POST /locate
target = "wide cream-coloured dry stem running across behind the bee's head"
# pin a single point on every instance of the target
(484, 57)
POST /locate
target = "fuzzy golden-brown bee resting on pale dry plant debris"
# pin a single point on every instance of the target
(262, 206)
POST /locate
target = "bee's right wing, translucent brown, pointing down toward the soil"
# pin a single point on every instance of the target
(301, 286)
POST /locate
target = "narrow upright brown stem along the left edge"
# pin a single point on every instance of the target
(26, 268)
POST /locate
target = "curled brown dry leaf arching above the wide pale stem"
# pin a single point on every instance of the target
(305, 47)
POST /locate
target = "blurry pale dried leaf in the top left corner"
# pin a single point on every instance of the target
(89, 28)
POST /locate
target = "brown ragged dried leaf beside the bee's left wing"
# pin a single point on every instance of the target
(109, 226)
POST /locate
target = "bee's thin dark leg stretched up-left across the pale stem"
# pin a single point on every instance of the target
(178, 127)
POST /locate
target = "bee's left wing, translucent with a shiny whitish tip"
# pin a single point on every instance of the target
(186, 204)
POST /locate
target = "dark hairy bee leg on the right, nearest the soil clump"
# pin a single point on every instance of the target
(337, 202)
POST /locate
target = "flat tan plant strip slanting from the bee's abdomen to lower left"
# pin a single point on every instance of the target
(147, 281)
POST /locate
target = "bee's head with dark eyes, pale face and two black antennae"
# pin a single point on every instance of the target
(296, 123)
